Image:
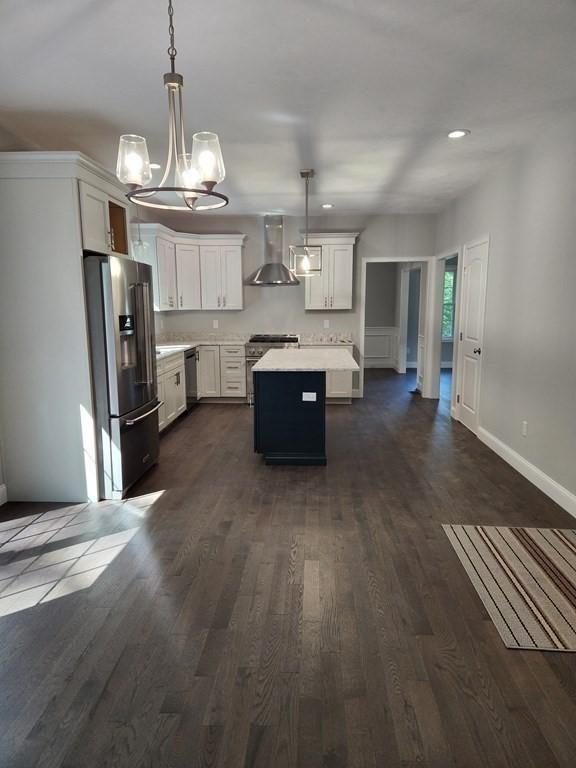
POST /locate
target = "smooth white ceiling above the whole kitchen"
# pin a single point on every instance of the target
(364, 91)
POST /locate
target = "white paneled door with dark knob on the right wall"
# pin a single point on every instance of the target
(474, 276)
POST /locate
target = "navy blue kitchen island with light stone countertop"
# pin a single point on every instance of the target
(290, 403)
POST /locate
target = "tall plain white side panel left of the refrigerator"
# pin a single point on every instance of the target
(45, 392)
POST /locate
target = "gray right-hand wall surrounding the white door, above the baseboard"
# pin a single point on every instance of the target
(529, 361)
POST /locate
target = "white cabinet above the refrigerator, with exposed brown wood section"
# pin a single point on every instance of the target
(104, 227)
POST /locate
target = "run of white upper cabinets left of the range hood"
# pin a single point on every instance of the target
(192, 272)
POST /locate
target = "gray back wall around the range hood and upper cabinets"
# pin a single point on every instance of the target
(282, 309)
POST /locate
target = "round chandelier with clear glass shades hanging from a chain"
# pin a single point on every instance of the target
(196, 173)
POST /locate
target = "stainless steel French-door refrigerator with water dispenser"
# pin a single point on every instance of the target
(123, 357)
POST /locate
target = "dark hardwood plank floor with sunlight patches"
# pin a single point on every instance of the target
(232, 614)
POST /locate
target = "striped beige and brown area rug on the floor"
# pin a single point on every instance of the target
(526, 578)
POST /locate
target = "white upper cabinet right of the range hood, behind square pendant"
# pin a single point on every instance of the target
(333, 288)
